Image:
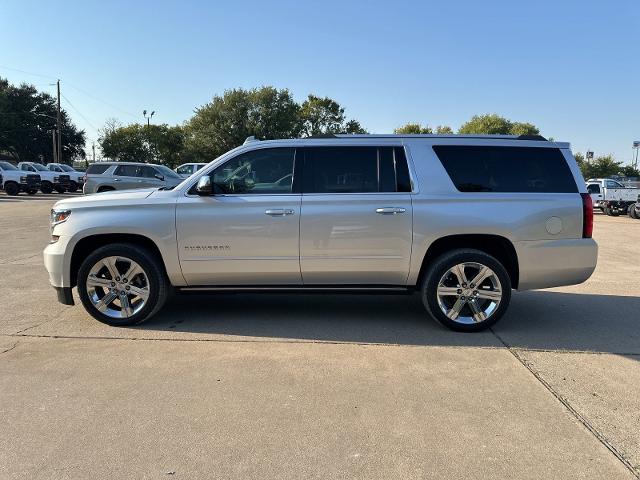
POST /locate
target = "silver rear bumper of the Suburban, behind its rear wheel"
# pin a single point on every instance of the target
(554, 263)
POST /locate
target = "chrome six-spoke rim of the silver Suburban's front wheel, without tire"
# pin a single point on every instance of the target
(117, 287)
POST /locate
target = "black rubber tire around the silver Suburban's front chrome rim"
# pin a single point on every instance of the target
(158, 283)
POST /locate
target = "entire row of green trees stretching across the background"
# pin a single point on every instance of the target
(28, 117)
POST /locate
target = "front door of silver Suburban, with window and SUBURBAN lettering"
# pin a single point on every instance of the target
(247, 231)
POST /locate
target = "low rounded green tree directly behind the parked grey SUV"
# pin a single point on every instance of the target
(143, 143)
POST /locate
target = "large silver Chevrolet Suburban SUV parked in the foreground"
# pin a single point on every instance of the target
(462, 220)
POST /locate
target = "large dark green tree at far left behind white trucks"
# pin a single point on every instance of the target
(27, 119)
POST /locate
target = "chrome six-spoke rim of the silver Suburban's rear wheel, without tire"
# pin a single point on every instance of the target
(469, 293)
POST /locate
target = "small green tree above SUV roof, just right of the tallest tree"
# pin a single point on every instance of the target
(320, 116)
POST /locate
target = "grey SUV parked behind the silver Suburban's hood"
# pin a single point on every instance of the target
(106, 176)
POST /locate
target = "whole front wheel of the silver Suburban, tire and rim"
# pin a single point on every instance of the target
(122, 284)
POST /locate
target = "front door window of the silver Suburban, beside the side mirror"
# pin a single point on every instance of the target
(262, 171)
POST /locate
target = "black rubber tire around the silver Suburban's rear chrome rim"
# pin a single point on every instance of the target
(437, 270)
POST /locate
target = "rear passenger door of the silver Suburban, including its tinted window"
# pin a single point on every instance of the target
(356, 221)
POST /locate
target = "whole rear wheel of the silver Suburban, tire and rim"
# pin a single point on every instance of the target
(466, 290)
